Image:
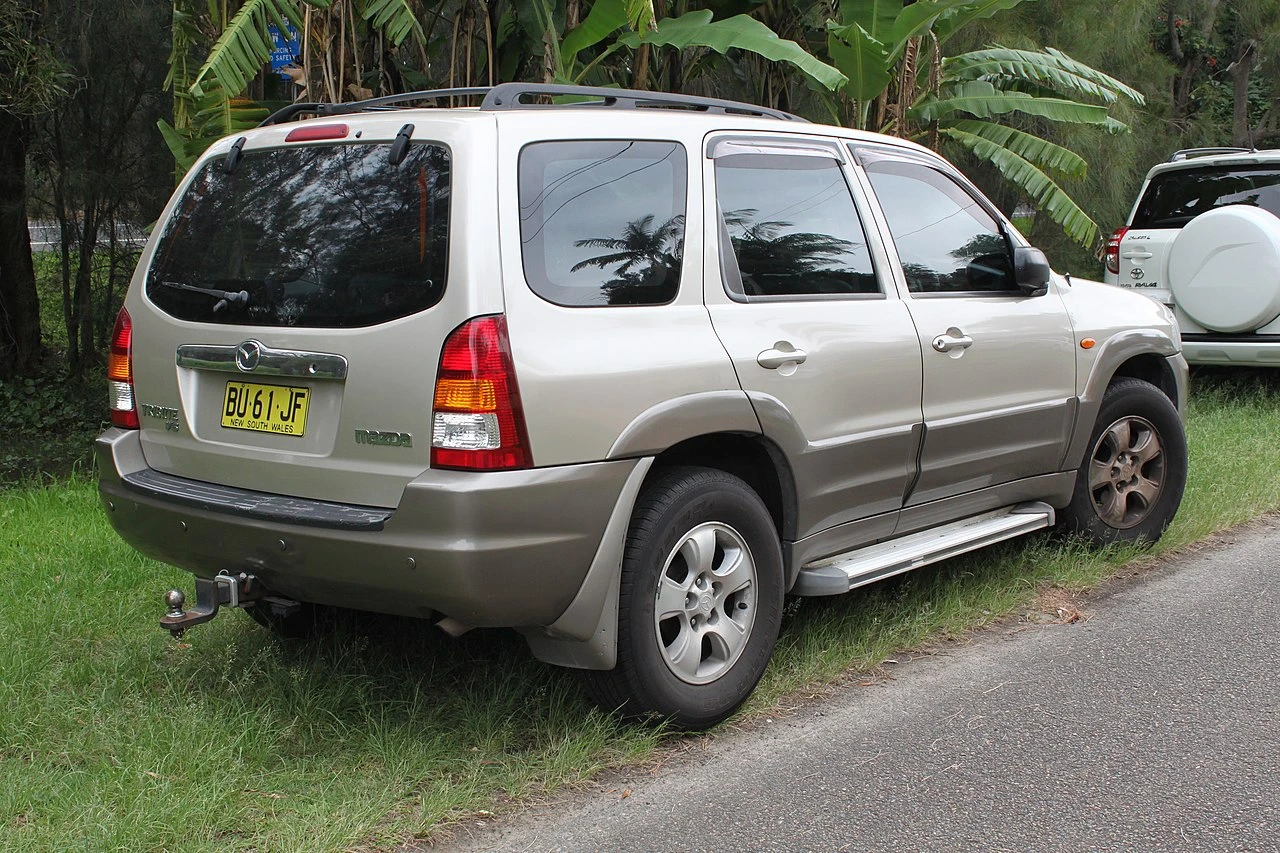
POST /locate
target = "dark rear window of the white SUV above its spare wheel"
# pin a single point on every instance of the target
(1176, 198)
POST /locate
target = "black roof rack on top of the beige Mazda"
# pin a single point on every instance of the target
(511, 97)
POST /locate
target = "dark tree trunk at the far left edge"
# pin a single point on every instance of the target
(20, 303)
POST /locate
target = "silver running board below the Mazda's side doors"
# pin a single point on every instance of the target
(845, 572)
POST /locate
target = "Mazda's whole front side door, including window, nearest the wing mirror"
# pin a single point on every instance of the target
(999, 366)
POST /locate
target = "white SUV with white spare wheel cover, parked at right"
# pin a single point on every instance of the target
(1204, 239)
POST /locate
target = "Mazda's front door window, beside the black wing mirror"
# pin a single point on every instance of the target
(947, 241)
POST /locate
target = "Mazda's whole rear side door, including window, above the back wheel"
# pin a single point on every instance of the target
(824, 346)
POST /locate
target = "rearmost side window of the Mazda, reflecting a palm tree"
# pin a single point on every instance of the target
(604, 222)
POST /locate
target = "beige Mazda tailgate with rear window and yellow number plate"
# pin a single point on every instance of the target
(289, 318)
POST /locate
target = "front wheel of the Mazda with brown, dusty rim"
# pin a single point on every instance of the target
(1135, 469)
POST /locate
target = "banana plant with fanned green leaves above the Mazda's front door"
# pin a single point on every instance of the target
(971, 99)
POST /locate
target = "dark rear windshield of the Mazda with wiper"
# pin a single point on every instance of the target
(312, 236)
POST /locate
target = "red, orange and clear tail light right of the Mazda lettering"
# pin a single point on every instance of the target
(478, 422)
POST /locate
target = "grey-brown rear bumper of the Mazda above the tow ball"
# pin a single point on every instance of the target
(504, 549)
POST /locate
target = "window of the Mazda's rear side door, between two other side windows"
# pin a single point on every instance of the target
(793, 226)
